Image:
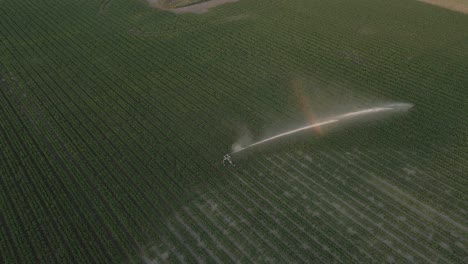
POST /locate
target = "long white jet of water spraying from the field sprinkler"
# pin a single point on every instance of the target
(389, 108)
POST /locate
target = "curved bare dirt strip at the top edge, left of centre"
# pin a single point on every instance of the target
(198, 7)
